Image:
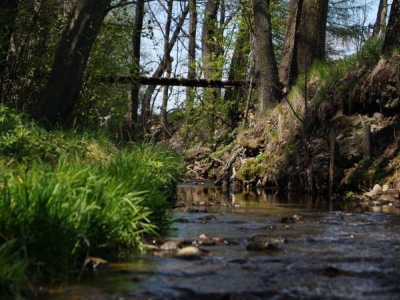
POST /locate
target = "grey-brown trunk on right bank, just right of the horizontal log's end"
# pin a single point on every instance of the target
(265, 68)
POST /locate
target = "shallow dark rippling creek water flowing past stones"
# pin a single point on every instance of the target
(332, 255)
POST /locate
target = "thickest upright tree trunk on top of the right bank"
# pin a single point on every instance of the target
(311, 33)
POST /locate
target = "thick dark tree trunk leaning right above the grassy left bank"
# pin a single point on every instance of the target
(65, 81)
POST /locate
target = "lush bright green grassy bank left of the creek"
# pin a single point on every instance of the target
(64, 195)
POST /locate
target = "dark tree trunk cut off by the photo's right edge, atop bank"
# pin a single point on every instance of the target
(392, 37)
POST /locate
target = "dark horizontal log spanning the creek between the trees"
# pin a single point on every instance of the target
(179, 82)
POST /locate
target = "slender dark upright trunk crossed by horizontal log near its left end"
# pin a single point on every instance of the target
(136, 40)
